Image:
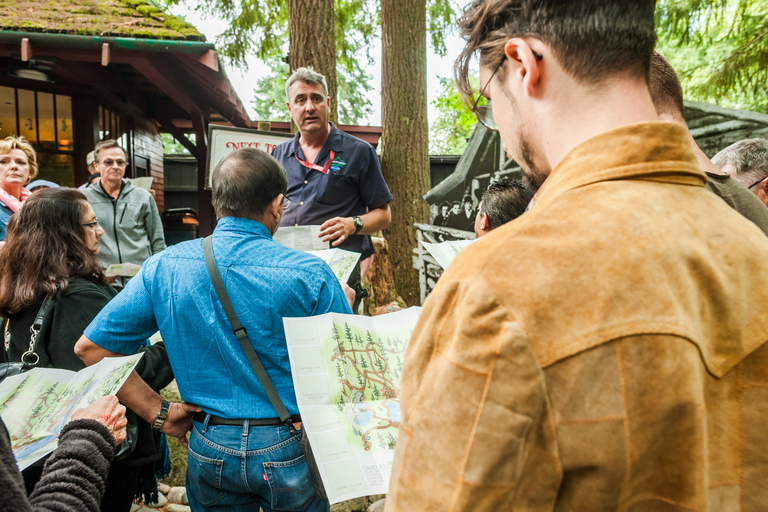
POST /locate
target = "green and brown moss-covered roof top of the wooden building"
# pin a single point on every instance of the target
(116, 18)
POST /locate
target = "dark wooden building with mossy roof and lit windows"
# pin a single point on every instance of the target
(74, 72)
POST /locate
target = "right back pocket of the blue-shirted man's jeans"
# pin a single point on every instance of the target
(290, 483)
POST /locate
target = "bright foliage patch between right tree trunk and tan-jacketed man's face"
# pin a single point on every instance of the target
(449, 133)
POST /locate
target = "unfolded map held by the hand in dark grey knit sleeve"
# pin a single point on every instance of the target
(37, 404)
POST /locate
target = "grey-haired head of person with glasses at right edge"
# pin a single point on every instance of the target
(747, 162)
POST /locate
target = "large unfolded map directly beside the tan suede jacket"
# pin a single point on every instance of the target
(346, 371)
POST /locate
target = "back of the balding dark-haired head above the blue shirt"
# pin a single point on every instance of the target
(246, 182)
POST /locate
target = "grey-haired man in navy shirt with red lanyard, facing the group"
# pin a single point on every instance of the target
(334, 179)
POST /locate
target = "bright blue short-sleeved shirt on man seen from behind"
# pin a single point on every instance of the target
(173, 293)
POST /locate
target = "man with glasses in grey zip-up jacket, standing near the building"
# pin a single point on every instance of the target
(133, 230)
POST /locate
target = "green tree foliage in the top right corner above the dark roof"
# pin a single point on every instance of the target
(719, 48)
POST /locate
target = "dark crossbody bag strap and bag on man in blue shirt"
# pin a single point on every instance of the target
(258, 368)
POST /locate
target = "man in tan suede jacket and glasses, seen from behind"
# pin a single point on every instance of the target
(605, 350)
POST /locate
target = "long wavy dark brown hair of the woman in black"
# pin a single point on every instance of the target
(44, 248)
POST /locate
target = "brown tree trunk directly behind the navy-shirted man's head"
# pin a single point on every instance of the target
(311, 25)
